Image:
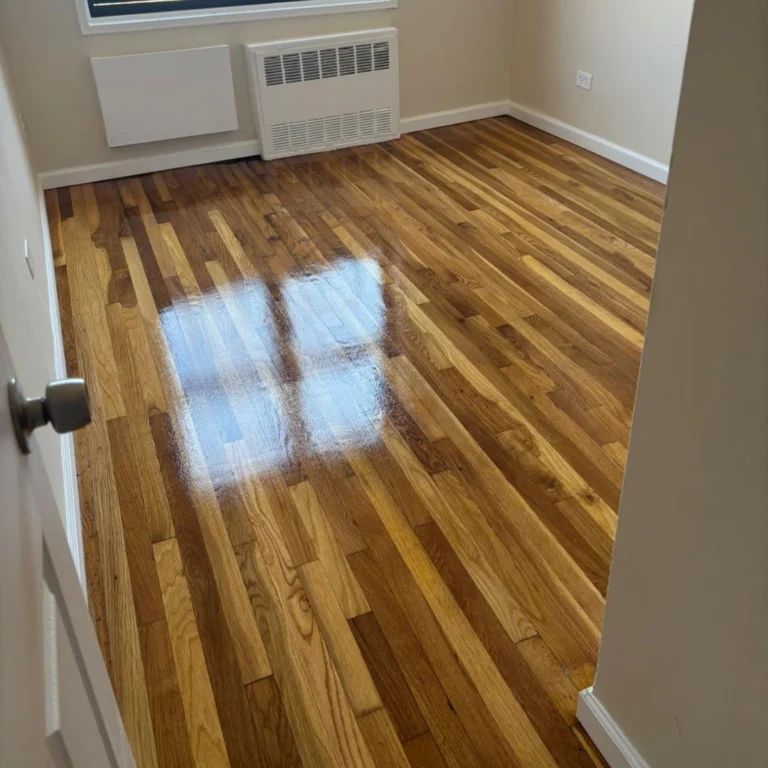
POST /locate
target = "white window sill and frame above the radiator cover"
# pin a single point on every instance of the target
(95, 26)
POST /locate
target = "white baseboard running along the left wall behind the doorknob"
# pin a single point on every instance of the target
(72, 519)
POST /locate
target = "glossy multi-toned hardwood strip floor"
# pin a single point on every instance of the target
(361, 420)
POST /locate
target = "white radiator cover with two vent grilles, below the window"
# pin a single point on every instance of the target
(321, 93)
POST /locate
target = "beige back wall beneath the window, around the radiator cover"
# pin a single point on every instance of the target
(453, 53)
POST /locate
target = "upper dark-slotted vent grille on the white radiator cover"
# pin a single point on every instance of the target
(326, 63)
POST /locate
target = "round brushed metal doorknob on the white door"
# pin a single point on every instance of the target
(66, 407)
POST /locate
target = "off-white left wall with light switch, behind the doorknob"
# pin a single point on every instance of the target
(25, 313)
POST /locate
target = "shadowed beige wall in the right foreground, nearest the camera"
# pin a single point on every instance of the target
(683, 667)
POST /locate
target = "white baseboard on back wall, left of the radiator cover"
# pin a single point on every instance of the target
(117, 169)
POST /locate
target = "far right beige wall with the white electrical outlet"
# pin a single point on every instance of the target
(635, 50)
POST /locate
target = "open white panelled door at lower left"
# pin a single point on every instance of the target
(56, 703)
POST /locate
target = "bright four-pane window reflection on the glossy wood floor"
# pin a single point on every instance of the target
(292, 368)
